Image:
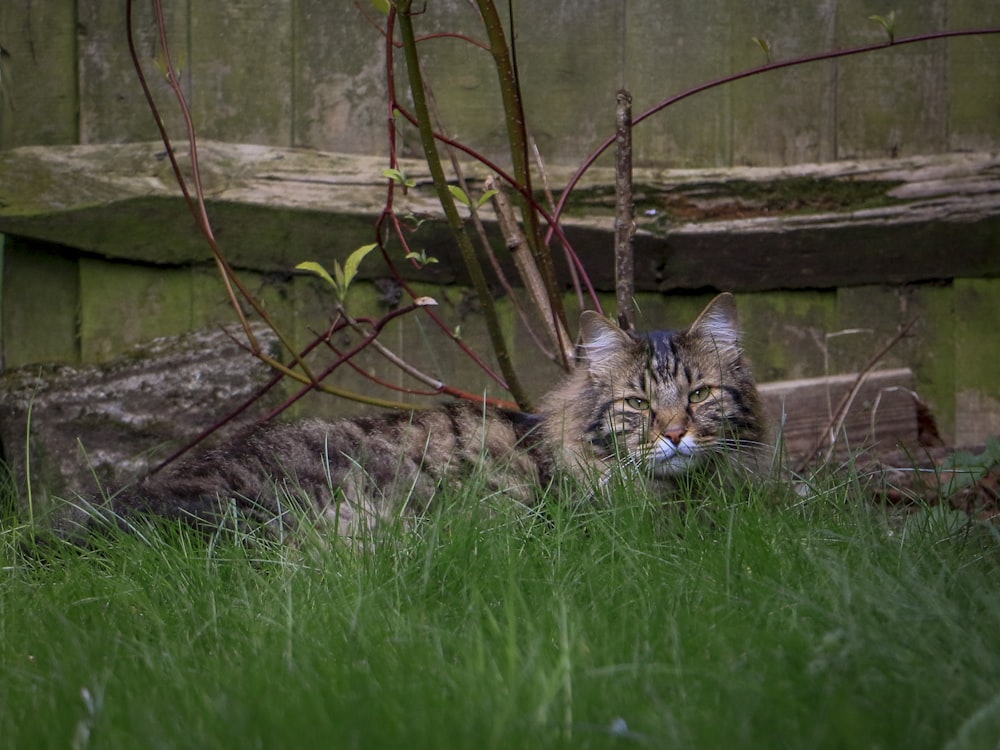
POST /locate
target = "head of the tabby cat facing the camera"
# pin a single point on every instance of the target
(666, 400)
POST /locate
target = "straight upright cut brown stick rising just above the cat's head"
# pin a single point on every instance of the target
(624, 214)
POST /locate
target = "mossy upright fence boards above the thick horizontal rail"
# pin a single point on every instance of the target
(310, 73)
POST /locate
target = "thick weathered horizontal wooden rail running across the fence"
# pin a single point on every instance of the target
(844, 224)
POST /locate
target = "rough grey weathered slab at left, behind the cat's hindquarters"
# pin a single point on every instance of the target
(95, 426)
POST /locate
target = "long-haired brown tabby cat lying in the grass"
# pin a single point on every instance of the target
(662, 404)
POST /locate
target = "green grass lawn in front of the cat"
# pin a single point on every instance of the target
(748, 624)
